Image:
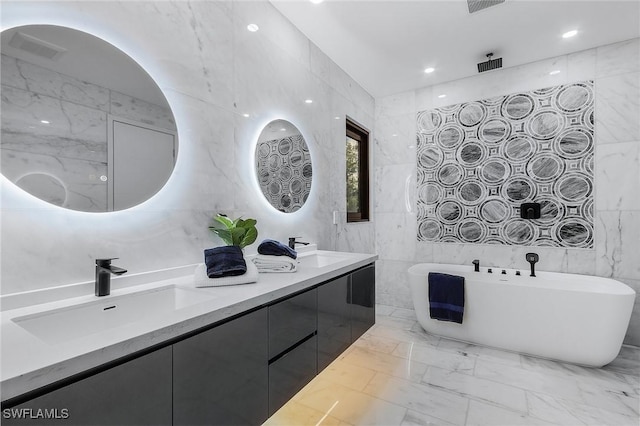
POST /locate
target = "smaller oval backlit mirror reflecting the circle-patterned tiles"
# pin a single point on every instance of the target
(283, 166)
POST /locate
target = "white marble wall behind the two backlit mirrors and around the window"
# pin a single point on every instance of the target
(212, 72)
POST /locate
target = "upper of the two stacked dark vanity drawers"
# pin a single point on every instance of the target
(291, 320)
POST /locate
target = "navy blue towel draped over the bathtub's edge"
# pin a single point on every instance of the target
(446, 297)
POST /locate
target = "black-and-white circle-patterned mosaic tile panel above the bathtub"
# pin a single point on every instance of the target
(478, 161)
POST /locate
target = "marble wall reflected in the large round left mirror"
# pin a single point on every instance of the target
(61, 162)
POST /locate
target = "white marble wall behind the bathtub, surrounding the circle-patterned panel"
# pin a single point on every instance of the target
(615, 70)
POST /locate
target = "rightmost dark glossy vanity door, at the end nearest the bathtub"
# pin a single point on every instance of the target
(363, 300)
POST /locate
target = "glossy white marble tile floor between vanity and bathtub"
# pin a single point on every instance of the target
(397, 374)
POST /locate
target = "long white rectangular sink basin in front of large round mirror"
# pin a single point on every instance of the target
(68, 323)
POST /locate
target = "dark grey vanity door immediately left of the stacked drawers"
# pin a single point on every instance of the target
(220, 376)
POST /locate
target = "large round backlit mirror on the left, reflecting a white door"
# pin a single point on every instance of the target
(83, 125)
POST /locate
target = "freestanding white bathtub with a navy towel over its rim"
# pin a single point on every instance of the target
(565, 317)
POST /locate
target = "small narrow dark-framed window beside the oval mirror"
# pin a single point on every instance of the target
(357, 173)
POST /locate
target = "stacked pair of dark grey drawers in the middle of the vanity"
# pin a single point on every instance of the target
(292, 346)
